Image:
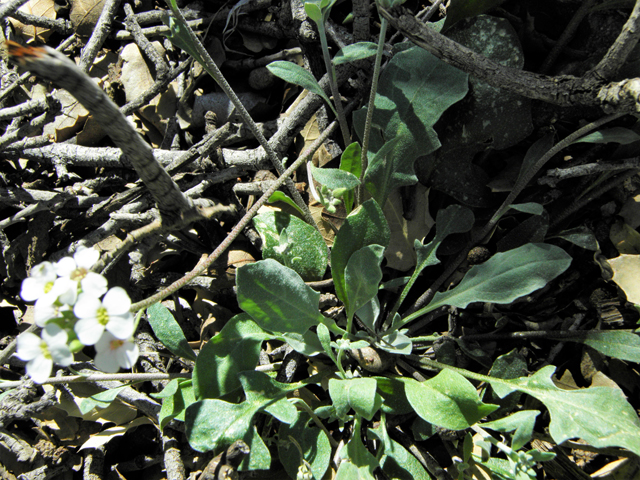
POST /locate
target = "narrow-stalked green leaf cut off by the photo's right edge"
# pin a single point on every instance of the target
(612, 343)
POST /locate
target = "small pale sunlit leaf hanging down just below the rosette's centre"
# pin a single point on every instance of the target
(358, 394)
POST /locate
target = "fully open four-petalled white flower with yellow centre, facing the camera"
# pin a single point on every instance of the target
(111, 313)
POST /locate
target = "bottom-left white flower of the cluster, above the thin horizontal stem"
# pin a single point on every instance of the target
(40, 353)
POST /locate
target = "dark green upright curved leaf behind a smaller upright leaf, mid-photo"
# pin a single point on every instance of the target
(365, 226)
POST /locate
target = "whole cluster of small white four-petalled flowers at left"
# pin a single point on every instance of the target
(71, 313)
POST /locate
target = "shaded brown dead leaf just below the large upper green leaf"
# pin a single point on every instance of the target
(401, 255)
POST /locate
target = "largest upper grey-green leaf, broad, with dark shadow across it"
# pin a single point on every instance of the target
(414, 91)
